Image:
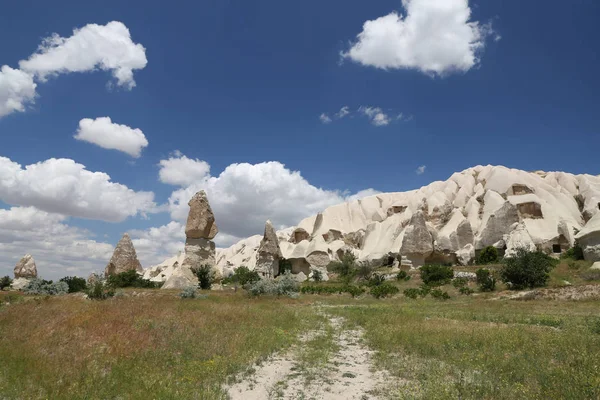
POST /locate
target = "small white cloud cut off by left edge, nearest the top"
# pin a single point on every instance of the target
(17, 89)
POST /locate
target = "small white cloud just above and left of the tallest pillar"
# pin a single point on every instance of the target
(179, 170)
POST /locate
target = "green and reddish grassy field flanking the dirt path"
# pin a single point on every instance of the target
(152, 344)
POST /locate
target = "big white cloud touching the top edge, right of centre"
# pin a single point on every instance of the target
(435, 37)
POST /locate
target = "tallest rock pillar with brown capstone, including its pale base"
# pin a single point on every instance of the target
(200, 229)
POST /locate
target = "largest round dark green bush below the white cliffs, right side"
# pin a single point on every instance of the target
(527, 269)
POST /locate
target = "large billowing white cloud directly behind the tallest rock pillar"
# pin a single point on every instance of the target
(244, 196)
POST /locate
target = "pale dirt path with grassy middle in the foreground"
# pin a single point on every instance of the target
(330, 363)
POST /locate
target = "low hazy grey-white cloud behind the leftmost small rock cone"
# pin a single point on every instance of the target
(59, 249)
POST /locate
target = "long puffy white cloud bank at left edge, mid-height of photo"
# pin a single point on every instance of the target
(65, 187)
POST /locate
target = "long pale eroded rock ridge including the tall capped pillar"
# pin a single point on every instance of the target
(443, 222)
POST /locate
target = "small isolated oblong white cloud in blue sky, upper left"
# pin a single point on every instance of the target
(108, 135)
